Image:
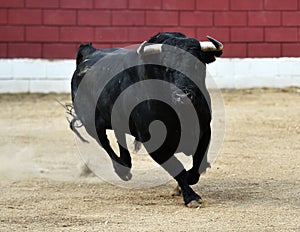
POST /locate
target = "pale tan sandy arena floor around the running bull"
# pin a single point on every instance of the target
(254, 185)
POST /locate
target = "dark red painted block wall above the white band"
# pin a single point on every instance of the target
(54, 28)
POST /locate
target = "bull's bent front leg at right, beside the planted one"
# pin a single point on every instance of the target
(200, 163)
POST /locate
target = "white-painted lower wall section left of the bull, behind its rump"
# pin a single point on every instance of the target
(36, 75)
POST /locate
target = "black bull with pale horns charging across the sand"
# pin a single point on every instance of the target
(102, 75)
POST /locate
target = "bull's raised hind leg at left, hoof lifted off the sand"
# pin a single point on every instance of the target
(122, 168)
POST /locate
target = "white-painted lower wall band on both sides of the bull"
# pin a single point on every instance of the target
(44, 76)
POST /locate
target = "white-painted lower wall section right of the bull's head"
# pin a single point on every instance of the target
(256, 72)
